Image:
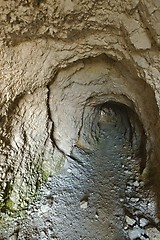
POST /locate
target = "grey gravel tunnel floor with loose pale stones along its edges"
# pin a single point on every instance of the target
(97, 196)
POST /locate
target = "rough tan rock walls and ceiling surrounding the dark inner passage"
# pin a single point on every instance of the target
(60, 59)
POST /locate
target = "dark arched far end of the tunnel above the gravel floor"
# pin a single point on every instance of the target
(123, 122)
